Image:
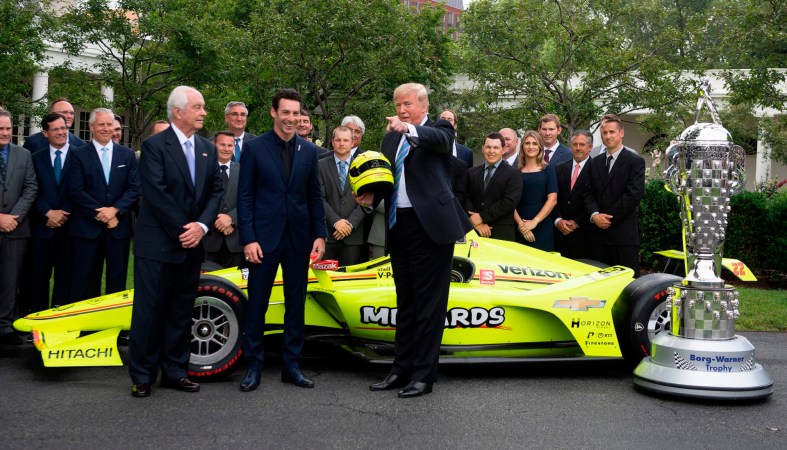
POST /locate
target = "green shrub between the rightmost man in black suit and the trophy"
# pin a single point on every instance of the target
(659, 222)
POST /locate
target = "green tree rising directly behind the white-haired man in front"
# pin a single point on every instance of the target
(147, 47)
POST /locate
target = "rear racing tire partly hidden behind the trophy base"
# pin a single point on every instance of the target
(647, 315)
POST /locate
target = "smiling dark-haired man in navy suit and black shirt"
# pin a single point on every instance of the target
(281, 217)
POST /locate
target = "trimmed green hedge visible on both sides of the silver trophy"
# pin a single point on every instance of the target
(755, 231)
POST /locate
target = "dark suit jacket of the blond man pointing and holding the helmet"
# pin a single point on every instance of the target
(427, 170)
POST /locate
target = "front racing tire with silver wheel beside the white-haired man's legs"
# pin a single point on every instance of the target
(217, 328)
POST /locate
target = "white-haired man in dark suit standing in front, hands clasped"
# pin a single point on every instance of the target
(181, 194)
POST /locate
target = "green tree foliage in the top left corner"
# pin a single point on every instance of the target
(23, 27)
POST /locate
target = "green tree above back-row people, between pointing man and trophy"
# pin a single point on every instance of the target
(574, 59)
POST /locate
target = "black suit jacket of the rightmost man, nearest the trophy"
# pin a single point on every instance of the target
(617, 193)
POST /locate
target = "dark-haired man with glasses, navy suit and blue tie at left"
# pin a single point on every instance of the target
(50, 244)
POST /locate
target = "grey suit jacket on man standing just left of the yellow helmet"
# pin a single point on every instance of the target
(339, 203)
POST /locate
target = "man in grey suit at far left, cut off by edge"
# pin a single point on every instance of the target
(18, 188)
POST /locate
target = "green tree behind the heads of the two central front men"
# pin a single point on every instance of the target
(345, 56)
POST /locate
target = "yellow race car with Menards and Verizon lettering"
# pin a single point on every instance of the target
(508, 302)
